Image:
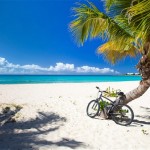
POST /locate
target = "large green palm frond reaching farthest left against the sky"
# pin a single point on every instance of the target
(91, 22)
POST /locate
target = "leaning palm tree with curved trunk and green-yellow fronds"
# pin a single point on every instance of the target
(125, 26)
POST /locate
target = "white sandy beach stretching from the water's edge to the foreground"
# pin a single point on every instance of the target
(54, 118)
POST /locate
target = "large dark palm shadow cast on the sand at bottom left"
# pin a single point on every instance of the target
(28, 134)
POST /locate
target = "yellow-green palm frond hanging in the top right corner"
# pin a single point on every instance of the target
(139, 18)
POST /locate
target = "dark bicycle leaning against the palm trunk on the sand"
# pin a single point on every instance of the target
(121, 114)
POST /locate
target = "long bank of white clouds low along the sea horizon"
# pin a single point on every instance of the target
(60, 68)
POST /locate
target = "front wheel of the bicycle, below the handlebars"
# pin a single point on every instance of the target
(93, 108)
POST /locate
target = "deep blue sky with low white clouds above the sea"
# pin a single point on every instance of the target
(35, 38)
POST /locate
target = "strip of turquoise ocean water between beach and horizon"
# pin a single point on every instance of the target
(29, 79)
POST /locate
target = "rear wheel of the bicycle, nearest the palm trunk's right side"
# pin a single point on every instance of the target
(122, 114)
